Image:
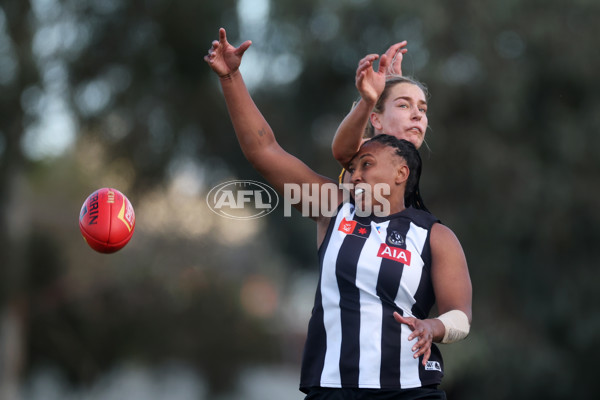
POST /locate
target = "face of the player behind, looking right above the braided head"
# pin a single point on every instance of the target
(404, 114)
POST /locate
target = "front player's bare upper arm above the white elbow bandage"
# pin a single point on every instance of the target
(450, 274)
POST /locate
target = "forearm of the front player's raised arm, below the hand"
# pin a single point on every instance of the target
(252, 130)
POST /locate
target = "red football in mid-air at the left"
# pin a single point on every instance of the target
(107, 220)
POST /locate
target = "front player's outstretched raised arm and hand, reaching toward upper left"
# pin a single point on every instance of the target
(254, 134)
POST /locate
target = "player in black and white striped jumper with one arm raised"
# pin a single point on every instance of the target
(369, 336)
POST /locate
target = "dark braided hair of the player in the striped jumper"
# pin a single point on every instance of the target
(408, 151)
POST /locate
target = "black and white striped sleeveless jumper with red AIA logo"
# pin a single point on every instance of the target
(369, 268)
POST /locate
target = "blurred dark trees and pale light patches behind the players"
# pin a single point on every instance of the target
(115, 93)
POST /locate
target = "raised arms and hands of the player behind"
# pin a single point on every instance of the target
(370, 85)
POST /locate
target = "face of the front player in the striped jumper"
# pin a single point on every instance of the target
(377, 167)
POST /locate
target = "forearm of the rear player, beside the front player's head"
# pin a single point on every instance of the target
(348, 137)
